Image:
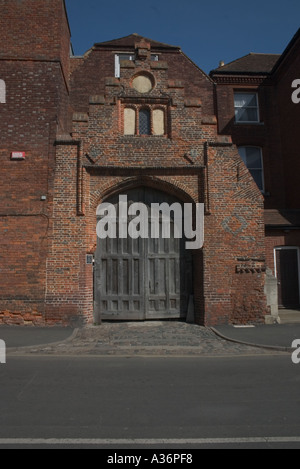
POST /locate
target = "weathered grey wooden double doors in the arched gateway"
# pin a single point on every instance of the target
(142, 279)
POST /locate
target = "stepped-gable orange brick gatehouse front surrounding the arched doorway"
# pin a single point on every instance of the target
(190, 161)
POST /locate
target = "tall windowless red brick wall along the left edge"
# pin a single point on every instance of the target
(34, 66)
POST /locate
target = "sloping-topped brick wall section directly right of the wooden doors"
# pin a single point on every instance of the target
(234, 260)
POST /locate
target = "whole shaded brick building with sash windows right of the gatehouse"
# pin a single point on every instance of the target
(258, 105)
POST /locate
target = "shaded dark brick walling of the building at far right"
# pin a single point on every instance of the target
(275, 134)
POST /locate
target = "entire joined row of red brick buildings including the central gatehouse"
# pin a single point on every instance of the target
(137, 118)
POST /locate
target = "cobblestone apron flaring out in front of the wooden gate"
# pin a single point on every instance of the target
(144, 339)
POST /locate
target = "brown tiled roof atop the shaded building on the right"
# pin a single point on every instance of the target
(257, 64)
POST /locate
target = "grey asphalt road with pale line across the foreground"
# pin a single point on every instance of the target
(135, 403)
